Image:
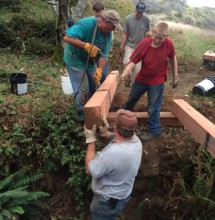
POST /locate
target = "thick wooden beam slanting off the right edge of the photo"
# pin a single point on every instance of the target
(199, 126)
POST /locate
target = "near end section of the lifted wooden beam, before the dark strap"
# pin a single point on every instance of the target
(96, 108)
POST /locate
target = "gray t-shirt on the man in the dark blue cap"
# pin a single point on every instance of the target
(136, 29)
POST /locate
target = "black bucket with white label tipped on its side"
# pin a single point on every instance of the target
(205, 87)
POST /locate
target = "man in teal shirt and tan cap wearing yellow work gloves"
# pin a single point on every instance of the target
(86, 54)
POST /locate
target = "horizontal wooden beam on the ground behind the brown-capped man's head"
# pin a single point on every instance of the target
(166, 118)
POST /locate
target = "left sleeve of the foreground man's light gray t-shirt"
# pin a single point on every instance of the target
(98, 167)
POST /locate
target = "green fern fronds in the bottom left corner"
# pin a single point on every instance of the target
(17, 200)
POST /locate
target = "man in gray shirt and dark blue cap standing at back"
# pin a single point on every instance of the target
(134, 30)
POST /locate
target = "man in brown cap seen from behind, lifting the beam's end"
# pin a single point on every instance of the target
(114, 168)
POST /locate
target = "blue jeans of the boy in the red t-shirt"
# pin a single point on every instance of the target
(154, 95)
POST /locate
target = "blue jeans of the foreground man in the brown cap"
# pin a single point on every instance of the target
(102, 209)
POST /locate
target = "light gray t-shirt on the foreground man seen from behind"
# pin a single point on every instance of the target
(114, 169)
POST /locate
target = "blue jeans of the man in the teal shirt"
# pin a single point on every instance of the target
(82, 85)
